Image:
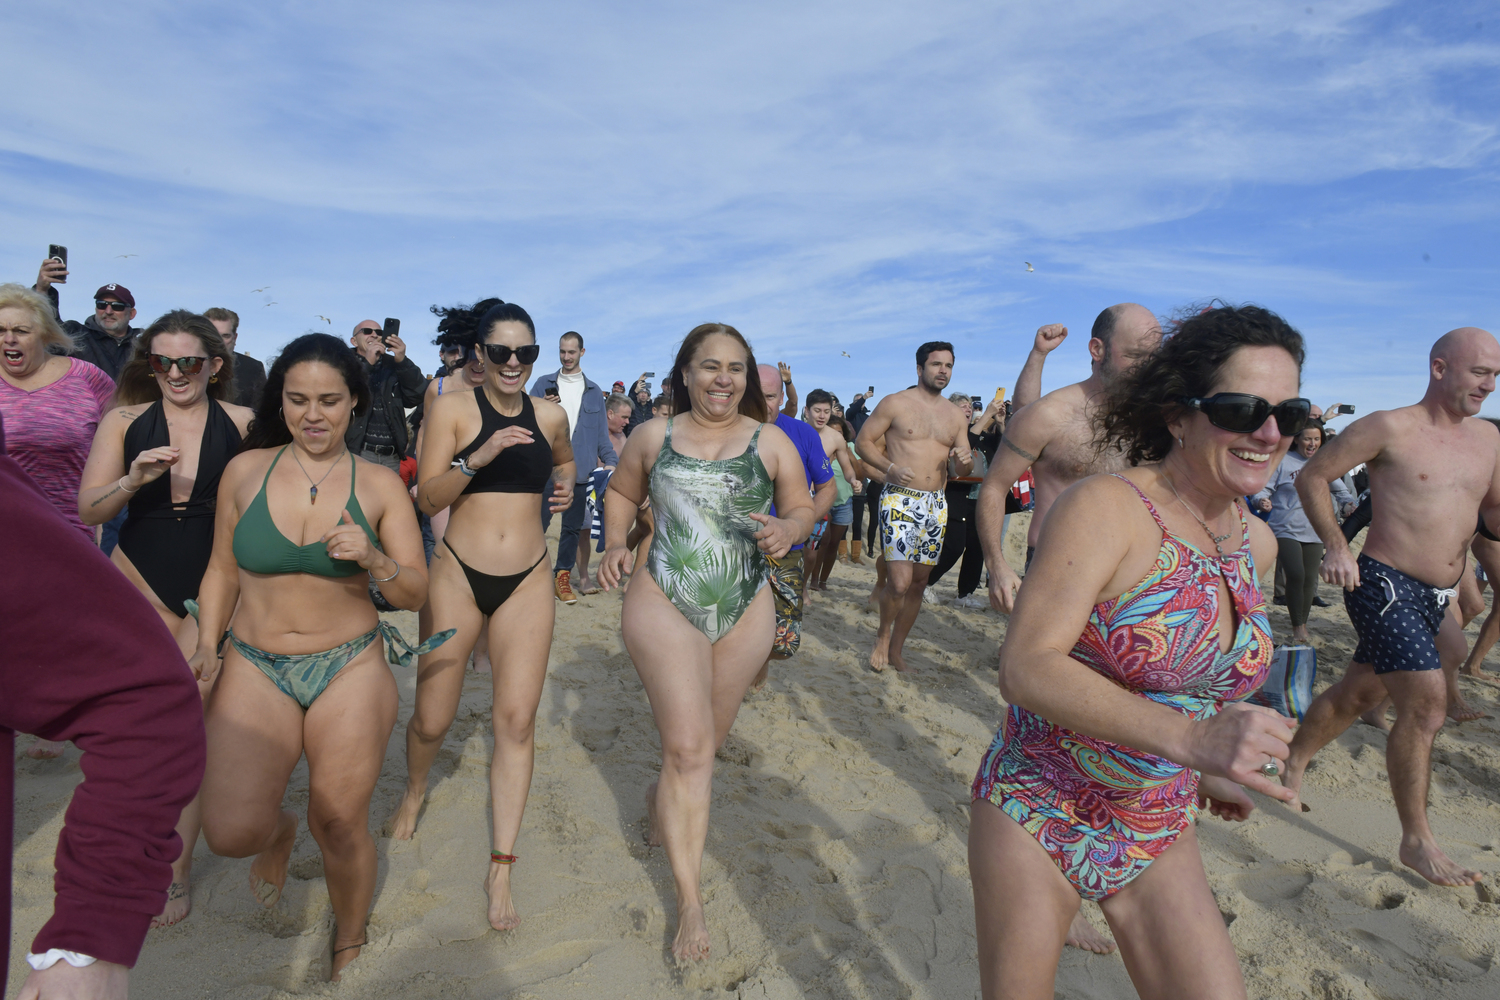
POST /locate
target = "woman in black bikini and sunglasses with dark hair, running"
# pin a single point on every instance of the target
(490, 454)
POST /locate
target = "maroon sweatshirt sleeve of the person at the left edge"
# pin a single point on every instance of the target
(86, 659)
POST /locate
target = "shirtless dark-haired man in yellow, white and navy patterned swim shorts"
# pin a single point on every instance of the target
(922, 433)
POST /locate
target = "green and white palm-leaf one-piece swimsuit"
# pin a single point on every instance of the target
(704, 554)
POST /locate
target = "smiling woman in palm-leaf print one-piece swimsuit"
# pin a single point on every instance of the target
(700, 623)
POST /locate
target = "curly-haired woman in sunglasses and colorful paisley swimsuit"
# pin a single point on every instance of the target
(1139, 627)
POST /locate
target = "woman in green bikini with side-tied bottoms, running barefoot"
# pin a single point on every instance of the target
(301, 527)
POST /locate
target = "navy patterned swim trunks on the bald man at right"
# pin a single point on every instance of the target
(1397, 618)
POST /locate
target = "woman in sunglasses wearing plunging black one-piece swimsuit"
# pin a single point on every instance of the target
(160, 449)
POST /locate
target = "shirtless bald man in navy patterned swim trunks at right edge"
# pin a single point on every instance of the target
(1432, 469)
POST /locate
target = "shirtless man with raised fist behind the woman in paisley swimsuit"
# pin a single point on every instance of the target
(1055, 437)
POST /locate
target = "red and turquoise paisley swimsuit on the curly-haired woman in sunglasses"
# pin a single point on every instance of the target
(1106, 812)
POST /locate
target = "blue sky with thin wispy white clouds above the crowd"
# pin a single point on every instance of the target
(827, 178)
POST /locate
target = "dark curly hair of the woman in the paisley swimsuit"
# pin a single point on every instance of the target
(1193, 355)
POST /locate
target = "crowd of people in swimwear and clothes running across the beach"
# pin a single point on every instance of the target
(1165, 490)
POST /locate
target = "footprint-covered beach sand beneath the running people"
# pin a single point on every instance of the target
(836, 861)
